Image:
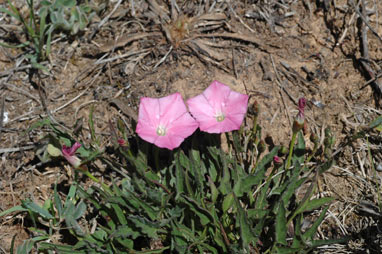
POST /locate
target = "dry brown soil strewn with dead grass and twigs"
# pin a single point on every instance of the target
(274, 50)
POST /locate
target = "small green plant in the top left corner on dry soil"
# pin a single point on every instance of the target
(41, 24)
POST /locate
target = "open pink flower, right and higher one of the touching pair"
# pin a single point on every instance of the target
(218, 109)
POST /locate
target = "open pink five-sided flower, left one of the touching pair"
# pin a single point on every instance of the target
(165, 122)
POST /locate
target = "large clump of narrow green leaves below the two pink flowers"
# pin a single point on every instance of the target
(202, 200)
